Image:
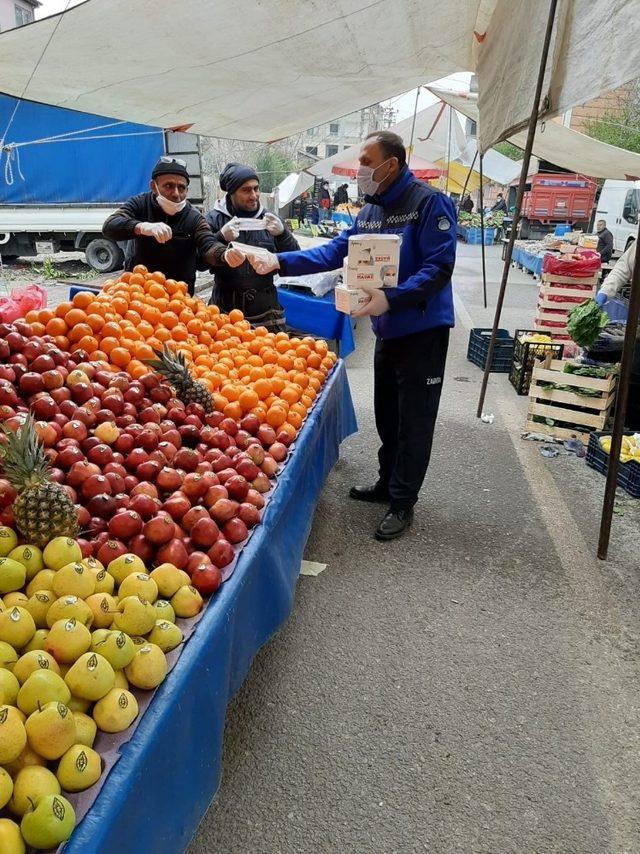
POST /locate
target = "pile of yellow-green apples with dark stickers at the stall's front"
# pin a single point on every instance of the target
(74, 637)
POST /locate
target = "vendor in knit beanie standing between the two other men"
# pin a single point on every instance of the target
(242, 287)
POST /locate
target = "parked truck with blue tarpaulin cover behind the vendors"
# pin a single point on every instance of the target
(74, 170)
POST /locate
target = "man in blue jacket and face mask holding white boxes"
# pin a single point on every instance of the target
(411, 322)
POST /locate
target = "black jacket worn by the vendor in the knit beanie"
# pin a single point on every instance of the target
(235, 287)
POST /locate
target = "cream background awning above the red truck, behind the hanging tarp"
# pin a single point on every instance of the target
(558, 144)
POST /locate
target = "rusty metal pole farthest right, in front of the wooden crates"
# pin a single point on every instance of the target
(622, 398)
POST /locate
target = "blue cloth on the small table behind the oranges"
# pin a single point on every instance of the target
(318, 316)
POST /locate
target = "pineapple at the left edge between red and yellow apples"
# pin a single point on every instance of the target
(42, 509)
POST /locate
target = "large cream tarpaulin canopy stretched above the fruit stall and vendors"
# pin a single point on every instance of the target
(243, 70)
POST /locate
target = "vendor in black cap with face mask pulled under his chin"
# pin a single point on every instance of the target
(164, 231)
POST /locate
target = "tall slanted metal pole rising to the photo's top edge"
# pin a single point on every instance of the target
(531, 132)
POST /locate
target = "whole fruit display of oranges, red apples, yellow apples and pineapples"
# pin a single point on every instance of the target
(141, 433)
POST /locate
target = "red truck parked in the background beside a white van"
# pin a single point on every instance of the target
(556, 197)
